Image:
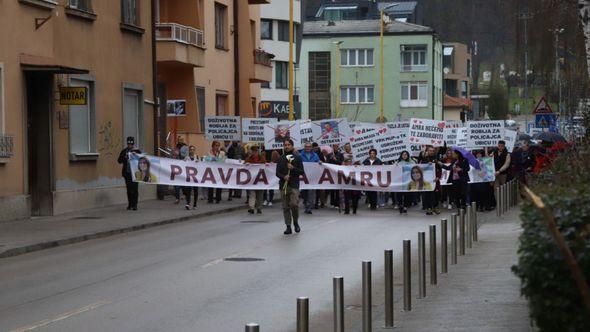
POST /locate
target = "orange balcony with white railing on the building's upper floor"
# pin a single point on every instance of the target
(180, 44)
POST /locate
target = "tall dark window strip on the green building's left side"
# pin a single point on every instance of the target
(320, 104)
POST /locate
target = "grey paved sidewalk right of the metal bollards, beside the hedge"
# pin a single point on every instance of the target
(480, 293)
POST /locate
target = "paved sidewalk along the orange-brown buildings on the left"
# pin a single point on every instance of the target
(23, 236)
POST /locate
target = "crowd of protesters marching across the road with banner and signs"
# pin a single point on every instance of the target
(289, 162)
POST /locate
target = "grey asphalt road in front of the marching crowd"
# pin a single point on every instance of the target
(175, 278)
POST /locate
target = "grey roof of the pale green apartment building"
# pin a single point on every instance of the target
(361, 27)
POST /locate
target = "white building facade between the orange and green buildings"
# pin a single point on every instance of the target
(274, 34)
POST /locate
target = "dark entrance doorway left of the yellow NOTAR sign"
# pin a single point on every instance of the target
(40, 176)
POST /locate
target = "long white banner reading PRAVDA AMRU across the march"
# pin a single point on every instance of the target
(155, 170)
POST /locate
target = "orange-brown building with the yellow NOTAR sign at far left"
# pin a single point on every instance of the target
(75, 80)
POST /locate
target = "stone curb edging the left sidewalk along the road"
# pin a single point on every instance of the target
(102, 234)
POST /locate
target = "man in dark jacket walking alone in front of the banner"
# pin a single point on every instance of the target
(289, 169)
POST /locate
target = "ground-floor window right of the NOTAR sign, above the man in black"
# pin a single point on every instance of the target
(133, 115)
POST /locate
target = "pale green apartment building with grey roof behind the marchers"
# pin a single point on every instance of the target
(340, 71)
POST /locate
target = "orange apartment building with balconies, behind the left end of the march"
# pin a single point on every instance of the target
(210, 61)
